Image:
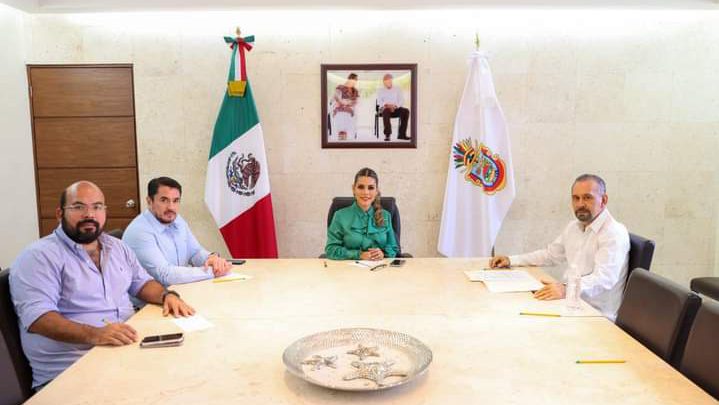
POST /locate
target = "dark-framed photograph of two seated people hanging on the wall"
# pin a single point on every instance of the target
(369, 106)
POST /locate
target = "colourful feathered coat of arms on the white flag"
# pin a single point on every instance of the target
(480, 166)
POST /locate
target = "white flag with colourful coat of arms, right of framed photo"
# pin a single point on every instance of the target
(480, 181)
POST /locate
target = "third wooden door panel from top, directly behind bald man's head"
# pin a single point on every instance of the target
(119, 186)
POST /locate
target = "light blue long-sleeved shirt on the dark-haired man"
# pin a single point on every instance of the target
(169, 252)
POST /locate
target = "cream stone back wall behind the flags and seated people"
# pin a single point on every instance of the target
(629, 95)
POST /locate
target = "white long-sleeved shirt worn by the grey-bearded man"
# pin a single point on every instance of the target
(600, 252)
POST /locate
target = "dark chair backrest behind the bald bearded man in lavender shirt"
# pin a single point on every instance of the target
(15, 372)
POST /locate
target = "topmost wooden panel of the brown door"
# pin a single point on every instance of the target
(67, 91)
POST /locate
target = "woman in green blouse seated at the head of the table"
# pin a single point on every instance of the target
(363, 230)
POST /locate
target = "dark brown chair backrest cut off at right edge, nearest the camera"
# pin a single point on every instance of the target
(700, 362)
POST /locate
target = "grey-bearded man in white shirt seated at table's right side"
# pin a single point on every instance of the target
(596, 243)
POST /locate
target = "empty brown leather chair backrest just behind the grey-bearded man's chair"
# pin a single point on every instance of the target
(658, 313)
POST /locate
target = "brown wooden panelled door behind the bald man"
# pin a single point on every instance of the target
(83, 120)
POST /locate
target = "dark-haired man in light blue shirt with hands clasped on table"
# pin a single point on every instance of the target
(163, 242)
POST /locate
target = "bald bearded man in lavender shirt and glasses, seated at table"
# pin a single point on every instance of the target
(71, 288)
